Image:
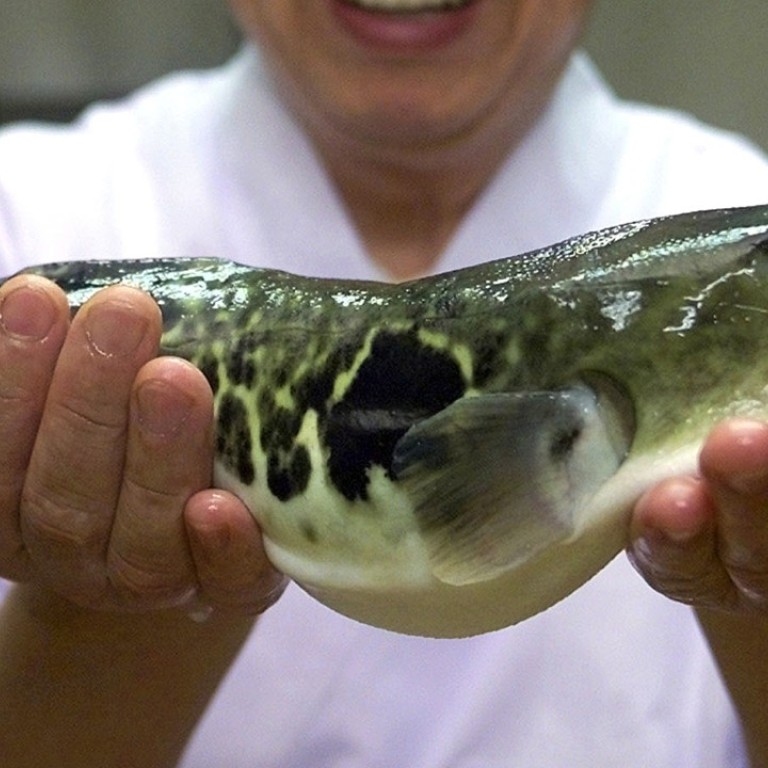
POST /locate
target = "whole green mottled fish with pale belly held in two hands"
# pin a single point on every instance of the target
(452, 455)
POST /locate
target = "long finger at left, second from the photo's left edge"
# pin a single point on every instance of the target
(74, 473)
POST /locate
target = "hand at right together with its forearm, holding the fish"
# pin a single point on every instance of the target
(704, 541)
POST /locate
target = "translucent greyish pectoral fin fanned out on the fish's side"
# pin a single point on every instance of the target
(497, 478)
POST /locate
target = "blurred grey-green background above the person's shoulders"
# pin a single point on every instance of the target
(703, 56)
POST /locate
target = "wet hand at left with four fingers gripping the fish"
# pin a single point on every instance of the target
(105, 462)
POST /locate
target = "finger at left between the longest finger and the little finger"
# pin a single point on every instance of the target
(169, 457)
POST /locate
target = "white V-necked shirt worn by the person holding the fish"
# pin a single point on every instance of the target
(210, 164)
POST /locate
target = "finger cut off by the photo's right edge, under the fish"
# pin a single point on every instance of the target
(735, 462)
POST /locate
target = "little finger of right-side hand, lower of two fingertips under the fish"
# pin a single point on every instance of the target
(674, 544)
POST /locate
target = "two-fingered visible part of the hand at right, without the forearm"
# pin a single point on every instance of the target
(704, 540)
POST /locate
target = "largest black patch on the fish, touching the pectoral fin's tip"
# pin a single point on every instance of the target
(401, 382)
